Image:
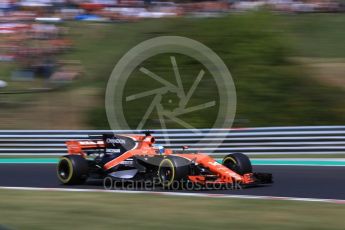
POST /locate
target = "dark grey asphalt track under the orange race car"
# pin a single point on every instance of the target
(289, 181)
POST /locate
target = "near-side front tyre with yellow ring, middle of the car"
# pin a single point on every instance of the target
(173, 171)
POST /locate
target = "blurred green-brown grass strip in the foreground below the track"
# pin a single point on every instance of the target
(56, 210)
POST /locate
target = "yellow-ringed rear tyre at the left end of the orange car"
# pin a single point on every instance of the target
(72, 169)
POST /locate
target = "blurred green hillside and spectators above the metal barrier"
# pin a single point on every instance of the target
(287, 58)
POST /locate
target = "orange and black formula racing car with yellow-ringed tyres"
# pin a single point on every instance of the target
(136, 157)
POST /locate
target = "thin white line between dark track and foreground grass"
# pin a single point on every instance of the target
(333, 201)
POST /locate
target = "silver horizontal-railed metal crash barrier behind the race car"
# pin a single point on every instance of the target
(253, 141)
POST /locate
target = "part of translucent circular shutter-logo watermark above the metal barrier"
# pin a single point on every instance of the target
(212, 64)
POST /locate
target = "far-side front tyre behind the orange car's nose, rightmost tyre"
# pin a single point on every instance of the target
(238, 162)
